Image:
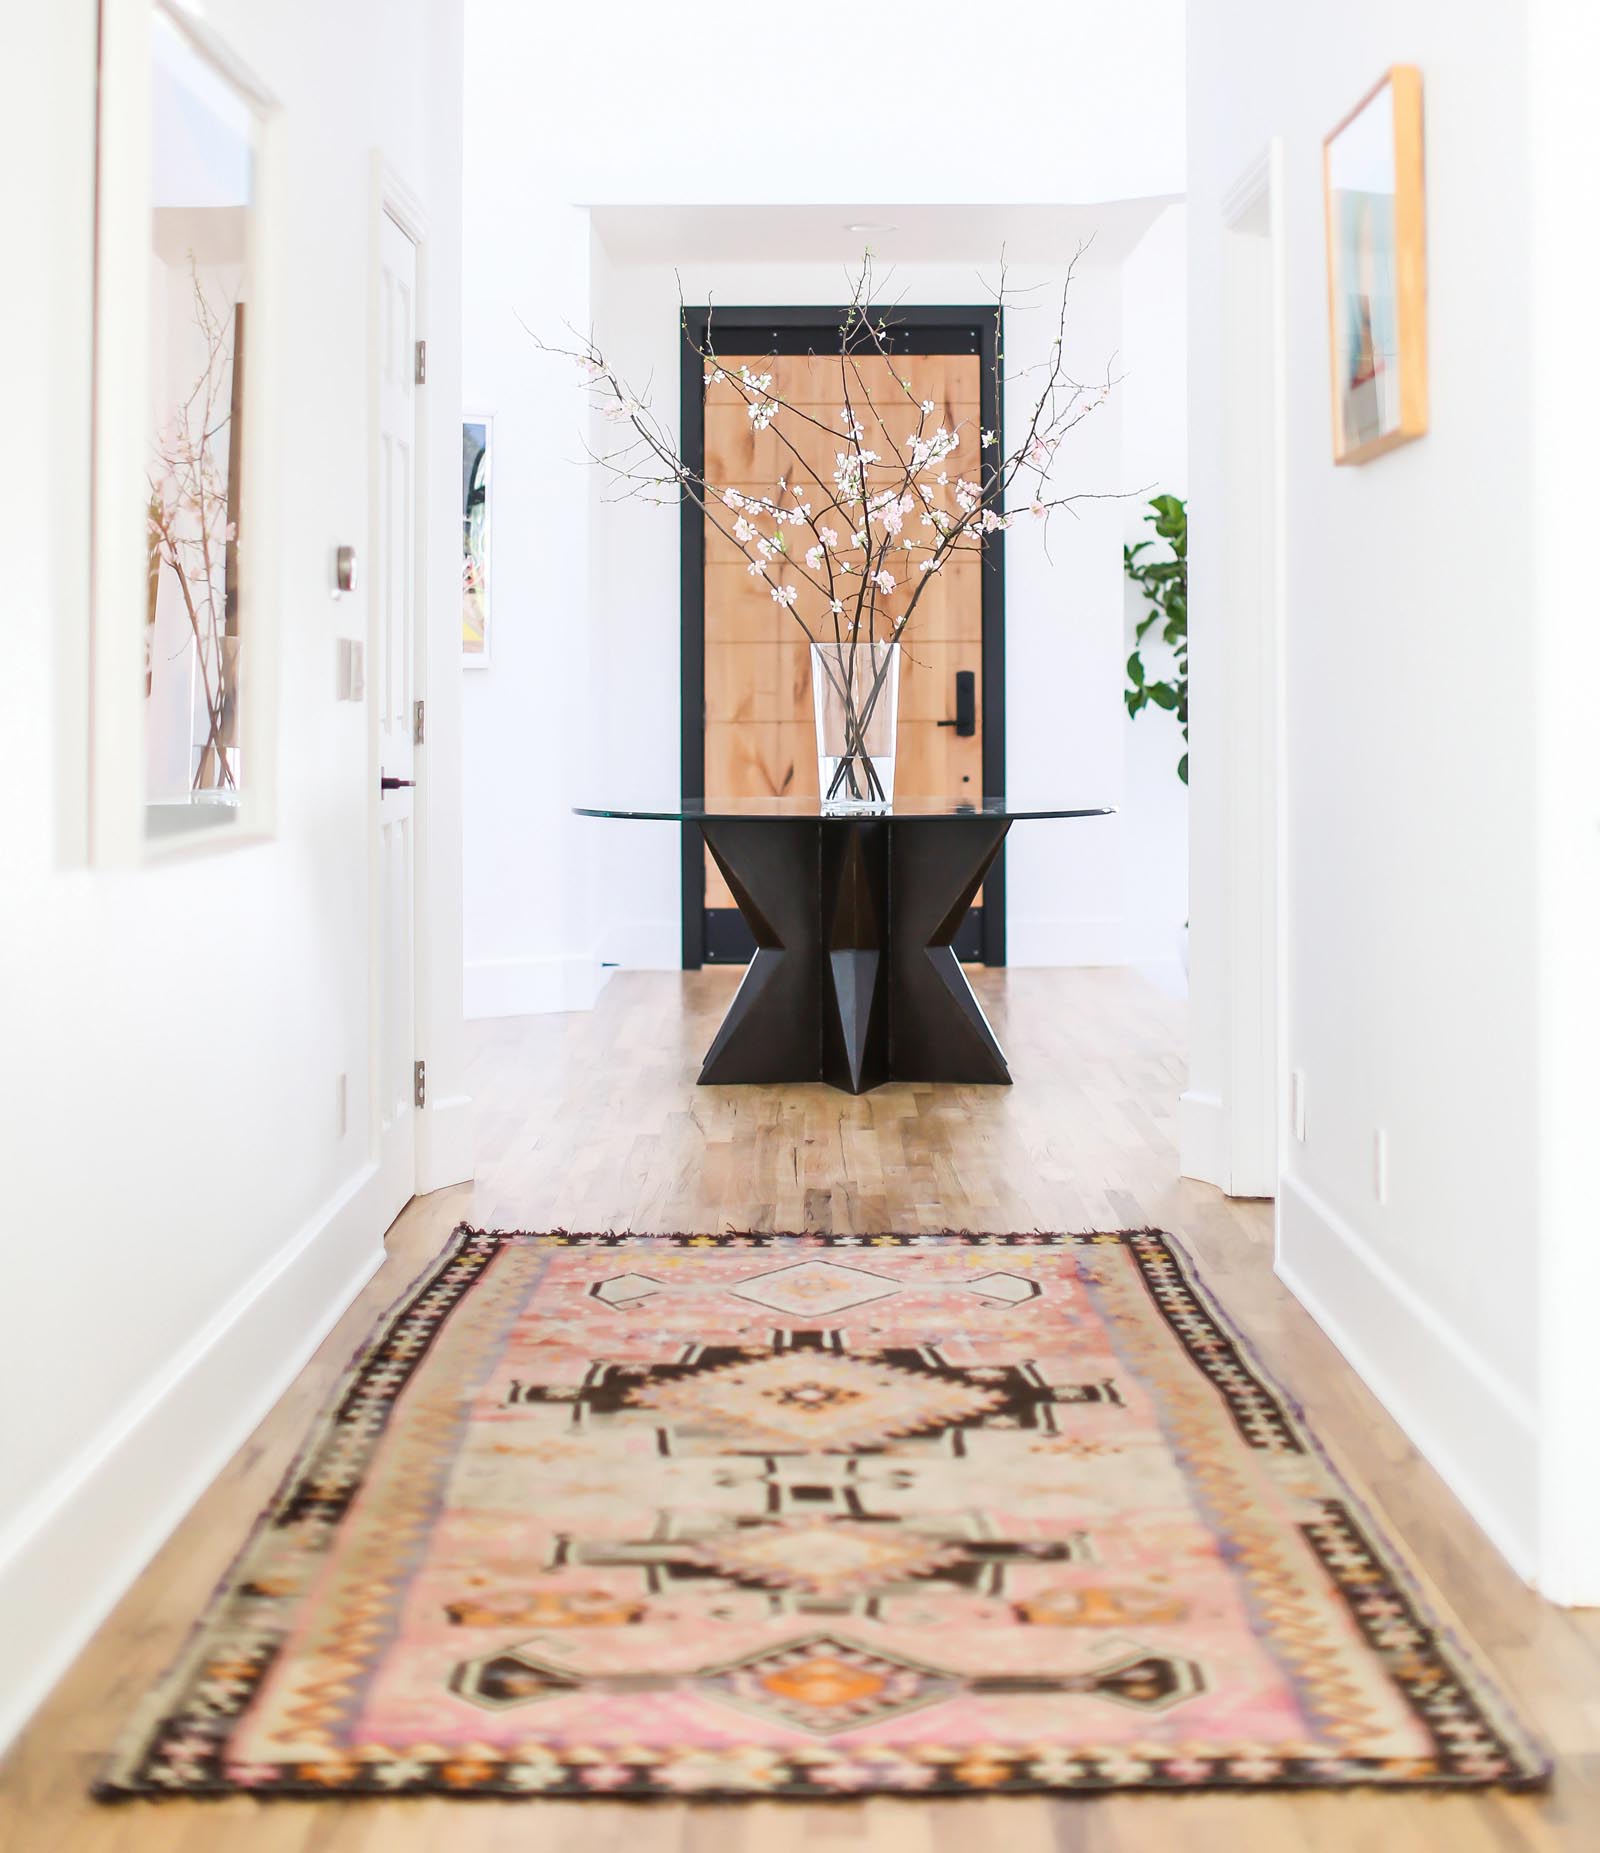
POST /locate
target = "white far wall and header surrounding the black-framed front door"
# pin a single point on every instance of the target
(546, 898)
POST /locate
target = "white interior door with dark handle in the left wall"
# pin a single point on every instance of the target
(394, 694)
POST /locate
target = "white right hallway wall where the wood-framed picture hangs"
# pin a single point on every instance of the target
(1412, 737)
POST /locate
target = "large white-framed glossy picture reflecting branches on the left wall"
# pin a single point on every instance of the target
(184, 605)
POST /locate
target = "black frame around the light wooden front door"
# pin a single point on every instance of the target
(796, 331)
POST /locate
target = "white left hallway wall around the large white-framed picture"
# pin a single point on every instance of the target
(184, 1220)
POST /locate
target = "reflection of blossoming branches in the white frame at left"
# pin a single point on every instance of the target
(194, 535)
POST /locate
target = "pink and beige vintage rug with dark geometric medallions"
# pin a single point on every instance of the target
(813, 1517)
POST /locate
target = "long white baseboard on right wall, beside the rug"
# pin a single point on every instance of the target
(1475, 1428)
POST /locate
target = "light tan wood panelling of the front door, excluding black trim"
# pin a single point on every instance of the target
(759, 735)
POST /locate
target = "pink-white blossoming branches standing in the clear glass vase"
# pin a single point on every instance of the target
(895, 511)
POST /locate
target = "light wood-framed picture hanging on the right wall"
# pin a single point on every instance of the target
(1378, 270)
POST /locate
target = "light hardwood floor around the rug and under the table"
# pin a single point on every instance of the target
(594, 1122)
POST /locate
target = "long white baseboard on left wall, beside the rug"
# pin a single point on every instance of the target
(75, 1548)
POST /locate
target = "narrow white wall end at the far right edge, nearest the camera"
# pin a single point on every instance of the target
(1566, 390)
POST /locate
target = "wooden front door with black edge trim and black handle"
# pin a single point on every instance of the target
(757, 737)
